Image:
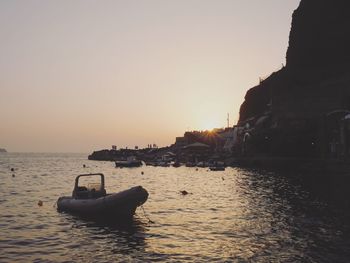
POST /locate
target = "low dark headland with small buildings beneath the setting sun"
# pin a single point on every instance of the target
(203, 148)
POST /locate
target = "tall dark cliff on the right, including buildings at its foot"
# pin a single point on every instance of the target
(302, 108)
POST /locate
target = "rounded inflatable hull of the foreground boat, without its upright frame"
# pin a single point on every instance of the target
(120, 205)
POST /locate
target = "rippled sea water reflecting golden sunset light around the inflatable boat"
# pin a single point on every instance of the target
(233, 216)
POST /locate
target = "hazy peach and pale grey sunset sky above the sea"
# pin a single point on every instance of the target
(78, 76)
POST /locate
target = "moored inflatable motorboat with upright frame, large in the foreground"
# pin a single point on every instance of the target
(92, 201)
